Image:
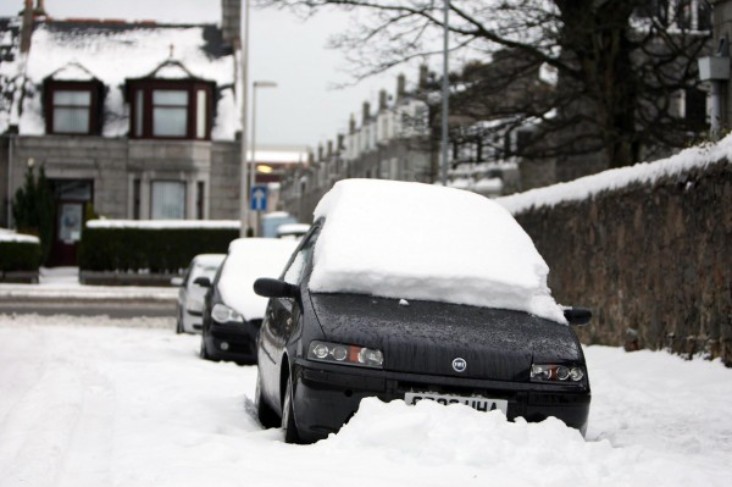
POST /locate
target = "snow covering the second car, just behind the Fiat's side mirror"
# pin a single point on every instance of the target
(248, 260)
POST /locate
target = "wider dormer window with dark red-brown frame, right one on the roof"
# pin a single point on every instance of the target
(170, 109)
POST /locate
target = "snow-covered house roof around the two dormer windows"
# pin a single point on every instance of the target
(113, 52)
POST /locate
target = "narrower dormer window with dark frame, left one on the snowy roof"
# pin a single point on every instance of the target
(72, 107)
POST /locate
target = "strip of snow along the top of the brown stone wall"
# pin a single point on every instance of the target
(644, 172)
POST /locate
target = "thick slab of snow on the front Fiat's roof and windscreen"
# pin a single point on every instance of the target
(418, 241)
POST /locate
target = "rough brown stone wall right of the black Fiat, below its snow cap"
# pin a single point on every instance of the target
(653, 261)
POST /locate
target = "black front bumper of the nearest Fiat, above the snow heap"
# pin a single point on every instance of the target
(326, 396)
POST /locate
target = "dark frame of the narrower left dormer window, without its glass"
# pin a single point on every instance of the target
(93, 87)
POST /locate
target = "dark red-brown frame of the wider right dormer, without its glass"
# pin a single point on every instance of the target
(148, 86)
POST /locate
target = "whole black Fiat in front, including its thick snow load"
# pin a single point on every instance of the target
(415, 292)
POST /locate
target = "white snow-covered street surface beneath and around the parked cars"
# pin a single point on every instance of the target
(101, 402)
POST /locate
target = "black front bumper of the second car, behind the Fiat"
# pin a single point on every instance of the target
(232, 342)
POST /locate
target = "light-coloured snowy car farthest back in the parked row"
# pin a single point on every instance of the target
(189, 308)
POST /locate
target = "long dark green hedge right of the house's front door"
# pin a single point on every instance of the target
(154, 250)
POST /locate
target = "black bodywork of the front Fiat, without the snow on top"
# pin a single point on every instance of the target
(319, 354)
